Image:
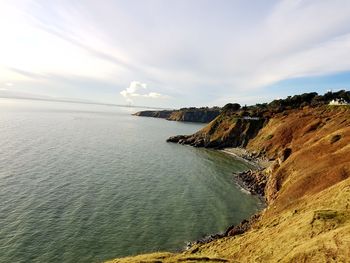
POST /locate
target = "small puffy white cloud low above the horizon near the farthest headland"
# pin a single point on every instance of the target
(137, 89)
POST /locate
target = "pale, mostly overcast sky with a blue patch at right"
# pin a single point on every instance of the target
(173, 53)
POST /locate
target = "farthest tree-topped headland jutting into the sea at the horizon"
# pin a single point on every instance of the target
(203, 115)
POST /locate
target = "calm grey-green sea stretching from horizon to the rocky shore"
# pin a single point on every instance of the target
(86, 183)
